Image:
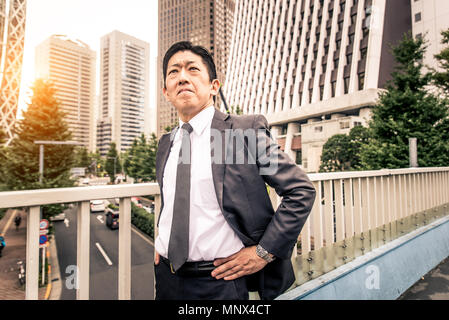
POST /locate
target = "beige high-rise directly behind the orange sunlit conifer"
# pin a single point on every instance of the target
(70, 65)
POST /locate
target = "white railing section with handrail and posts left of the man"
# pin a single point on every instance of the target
(33, 199)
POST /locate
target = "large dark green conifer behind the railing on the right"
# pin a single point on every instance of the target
(407, 109)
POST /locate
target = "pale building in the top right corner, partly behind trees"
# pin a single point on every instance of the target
(430, 17)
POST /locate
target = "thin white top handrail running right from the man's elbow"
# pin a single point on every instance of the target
(371, 173)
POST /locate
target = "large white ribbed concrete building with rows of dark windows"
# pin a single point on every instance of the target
(313, 67)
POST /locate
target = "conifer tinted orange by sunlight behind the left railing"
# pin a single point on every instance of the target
(43, 120)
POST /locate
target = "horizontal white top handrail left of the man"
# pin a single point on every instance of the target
(39, 197)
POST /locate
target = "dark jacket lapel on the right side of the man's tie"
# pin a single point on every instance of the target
(220, 123)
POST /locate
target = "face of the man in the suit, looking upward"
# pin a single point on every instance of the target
(187, 85)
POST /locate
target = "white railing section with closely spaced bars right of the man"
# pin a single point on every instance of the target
(355, 212)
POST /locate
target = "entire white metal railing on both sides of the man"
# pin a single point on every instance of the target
(354, 212)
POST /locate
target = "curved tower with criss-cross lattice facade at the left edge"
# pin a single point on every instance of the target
(12, 38)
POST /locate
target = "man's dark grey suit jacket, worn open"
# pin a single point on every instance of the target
(242, 195)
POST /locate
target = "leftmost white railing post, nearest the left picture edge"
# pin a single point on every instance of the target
(32, 254)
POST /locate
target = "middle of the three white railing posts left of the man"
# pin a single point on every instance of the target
(83, 246)
